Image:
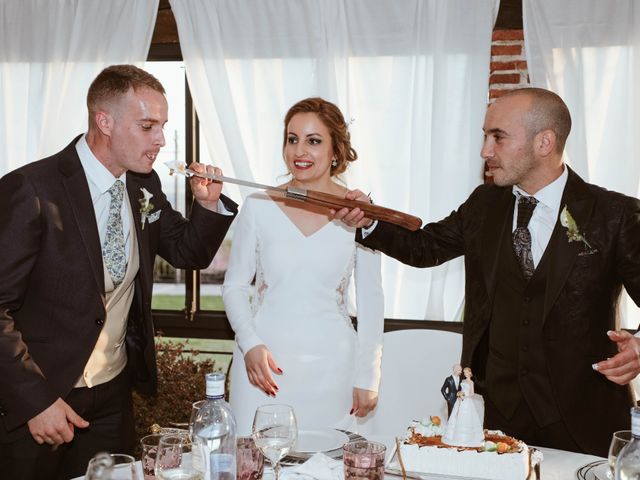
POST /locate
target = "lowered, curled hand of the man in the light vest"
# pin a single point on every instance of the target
(55, 424)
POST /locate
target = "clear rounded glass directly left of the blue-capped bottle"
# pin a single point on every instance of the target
(177, 457)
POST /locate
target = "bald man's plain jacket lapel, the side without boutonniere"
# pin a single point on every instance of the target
(493, 234)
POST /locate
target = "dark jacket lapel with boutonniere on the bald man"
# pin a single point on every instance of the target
(562, 253)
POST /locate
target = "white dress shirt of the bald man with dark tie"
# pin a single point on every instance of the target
(544, 216)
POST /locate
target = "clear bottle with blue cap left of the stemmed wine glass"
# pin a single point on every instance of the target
(214, 430)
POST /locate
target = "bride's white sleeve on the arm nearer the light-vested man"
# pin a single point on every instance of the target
(238, 290)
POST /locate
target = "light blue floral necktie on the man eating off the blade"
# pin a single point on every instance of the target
(115, 257)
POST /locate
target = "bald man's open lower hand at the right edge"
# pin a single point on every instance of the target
(623, 367)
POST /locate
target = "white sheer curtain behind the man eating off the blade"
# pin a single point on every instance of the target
(50, 51)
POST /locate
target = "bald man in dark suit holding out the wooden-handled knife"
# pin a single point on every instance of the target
(546, 256)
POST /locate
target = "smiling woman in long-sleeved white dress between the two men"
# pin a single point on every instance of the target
(295, 342)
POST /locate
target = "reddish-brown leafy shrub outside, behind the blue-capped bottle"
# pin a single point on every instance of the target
(180, 383)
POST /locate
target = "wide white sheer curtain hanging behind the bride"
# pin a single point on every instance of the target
(412, 75)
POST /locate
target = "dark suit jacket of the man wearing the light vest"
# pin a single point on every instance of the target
(52, 301)
